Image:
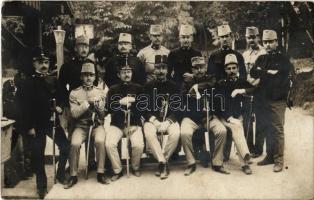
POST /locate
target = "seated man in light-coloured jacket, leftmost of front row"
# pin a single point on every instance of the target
(84, 101)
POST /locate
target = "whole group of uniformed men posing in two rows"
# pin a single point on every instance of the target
(218, 99)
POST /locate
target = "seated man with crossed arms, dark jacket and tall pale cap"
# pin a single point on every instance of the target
(233, 89)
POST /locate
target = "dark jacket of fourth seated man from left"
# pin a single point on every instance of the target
(195, 108)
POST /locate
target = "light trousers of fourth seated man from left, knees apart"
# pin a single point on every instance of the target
(188, 127)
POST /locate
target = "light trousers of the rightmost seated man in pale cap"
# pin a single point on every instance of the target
(238, 138)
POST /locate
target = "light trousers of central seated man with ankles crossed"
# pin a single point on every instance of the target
(173, 132)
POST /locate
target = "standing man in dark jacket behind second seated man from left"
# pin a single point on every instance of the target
(122, 57)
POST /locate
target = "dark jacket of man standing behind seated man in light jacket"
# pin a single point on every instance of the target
(70, 74)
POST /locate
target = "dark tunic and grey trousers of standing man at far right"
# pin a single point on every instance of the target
(271, 96)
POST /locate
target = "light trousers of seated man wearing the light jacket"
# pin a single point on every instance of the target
(78, 137)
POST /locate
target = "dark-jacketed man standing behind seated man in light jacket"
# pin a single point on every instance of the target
(69, 79)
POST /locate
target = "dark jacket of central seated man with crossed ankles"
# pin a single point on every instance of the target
(156, 106)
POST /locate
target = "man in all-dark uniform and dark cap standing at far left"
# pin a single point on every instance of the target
(37, 93)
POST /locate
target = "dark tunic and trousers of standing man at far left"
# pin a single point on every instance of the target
(37, 93)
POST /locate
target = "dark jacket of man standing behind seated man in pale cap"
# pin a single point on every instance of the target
(216, 63)
